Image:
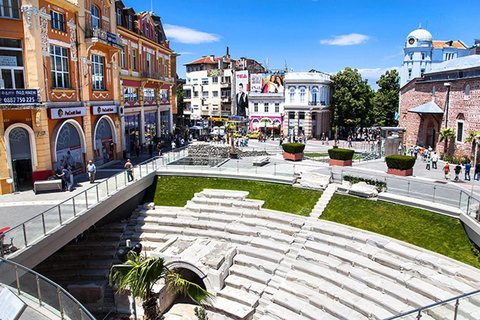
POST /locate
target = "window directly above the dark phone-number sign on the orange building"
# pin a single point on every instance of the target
(12, 70)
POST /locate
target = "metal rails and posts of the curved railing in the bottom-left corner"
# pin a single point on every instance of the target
(80, 308)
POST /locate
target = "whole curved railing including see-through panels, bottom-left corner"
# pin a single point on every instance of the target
(41, 291)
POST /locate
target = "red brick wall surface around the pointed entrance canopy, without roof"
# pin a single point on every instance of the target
(417, 93)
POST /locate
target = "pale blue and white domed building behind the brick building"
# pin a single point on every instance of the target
(421, 52)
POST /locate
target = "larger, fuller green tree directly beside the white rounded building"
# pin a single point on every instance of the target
(352, 96)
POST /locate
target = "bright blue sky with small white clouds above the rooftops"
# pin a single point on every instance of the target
(310, 34)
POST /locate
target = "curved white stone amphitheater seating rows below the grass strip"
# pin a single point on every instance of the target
(291, 267)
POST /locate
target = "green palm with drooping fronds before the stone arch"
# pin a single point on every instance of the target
(138, 275)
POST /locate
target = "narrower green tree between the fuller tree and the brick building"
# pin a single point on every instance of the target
(385, 101)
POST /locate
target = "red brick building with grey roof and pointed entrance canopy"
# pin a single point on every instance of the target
(446, 97)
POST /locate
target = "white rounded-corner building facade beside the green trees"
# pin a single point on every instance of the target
(308, 99)
